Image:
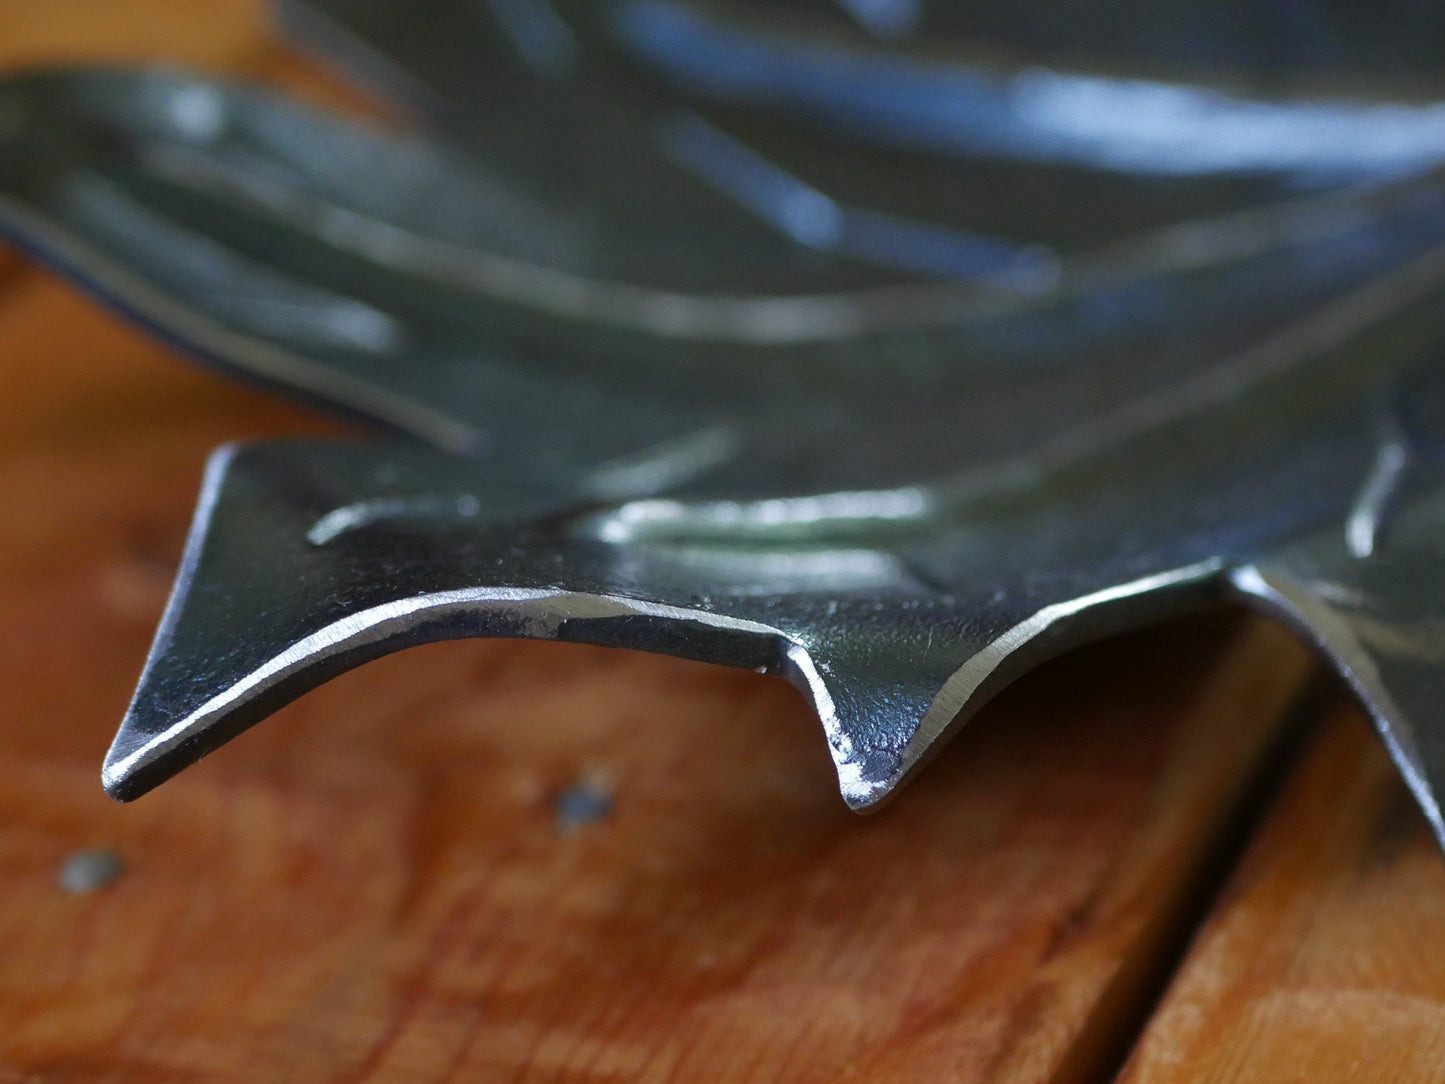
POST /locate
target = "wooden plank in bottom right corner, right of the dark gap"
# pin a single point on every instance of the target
(1326, 959)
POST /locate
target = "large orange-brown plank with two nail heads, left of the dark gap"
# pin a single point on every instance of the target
(374, 885)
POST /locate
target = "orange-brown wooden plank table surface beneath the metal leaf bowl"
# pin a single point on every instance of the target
(1173, 858)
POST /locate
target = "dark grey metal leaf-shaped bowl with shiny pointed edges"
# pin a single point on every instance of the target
(726, 381)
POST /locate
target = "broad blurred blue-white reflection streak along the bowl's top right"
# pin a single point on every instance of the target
(1113, 124)
